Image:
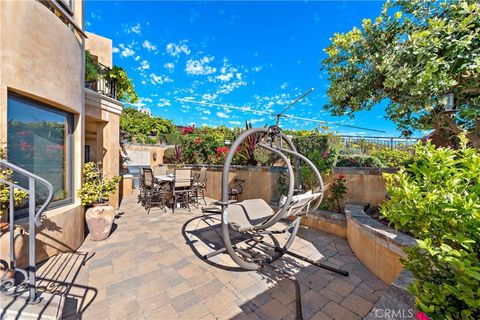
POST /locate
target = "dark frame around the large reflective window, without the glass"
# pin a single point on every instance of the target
(69, 153)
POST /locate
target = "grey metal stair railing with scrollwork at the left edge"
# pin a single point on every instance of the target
(8, 280)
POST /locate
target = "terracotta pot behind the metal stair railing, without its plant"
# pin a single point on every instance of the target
(20, 239)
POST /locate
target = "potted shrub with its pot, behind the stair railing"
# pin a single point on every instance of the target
(20, 237)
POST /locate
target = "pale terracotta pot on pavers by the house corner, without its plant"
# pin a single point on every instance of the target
(99, 220)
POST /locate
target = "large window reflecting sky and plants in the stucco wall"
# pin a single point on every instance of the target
(40, 141)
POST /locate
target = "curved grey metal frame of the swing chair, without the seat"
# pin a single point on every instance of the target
(242, 258)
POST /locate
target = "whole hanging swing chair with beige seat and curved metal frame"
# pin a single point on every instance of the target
(254, 218)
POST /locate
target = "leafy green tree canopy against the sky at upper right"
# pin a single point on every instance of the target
(413, 55)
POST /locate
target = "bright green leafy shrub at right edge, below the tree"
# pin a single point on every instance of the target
(437, 199)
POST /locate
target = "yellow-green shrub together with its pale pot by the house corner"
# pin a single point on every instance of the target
(94, 195)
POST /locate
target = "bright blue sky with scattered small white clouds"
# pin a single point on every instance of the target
(261, 55)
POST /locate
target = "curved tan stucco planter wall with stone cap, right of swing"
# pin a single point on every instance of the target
(379, 248)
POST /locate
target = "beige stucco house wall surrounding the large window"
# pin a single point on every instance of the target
(41, 58)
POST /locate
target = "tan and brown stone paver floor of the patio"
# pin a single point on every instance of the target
(150, 268)
